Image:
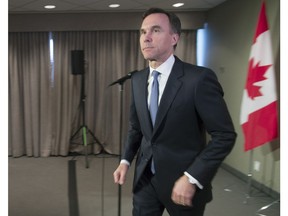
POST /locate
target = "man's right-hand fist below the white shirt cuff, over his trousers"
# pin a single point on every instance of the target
(183, 191)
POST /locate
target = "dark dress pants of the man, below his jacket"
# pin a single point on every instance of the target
(148, 202)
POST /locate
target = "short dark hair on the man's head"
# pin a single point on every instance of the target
(173, 19)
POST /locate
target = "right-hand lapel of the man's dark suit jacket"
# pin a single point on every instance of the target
(171, 89)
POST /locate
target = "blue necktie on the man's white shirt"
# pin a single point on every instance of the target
(154, 104)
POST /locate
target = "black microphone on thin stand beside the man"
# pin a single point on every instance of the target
(121, 82)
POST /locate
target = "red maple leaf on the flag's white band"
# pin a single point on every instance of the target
(255, 74)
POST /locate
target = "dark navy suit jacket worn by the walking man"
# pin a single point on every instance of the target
(192, 103)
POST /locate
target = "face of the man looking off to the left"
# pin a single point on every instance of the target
(157, 39)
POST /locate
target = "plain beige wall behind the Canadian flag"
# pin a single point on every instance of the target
(231, 28)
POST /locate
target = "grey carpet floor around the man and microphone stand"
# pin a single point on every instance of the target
(39, 187)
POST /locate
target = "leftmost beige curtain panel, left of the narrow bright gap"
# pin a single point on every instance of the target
(29, 93)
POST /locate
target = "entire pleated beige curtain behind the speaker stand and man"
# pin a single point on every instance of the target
(44, 97)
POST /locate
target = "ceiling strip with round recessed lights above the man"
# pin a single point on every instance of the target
(82, 6)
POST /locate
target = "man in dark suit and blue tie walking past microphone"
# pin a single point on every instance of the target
(175, 165)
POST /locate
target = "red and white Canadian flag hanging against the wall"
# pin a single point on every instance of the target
(259, 103)
